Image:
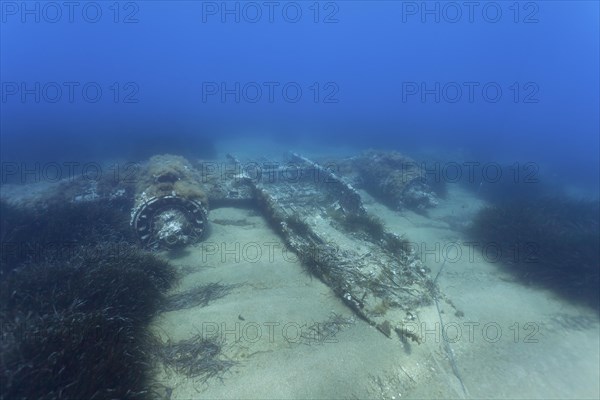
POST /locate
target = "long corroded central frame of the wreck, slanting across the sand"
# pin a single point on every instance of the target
(323, 220)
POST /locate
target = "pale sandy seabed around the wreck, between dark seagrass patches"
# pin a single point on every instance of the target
(503, 339)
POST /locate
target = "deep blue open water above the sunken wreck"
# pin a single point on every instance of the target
(502, 81)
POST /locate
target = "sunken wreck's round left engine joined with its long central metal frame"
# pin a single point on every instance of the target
(319, 215)
